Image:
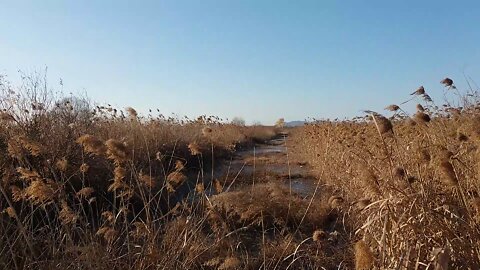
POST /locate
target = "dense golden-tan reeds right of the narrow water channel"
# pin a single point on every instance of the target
(411, 181)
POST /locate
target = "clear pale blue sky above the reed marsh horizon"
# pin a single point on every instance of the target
(255, 59)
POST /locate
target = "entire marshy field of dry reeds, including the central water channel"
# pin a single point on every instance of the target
(93, 187)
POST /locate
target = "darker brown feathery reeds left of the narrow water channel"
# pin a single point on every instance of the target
(95, 187)
